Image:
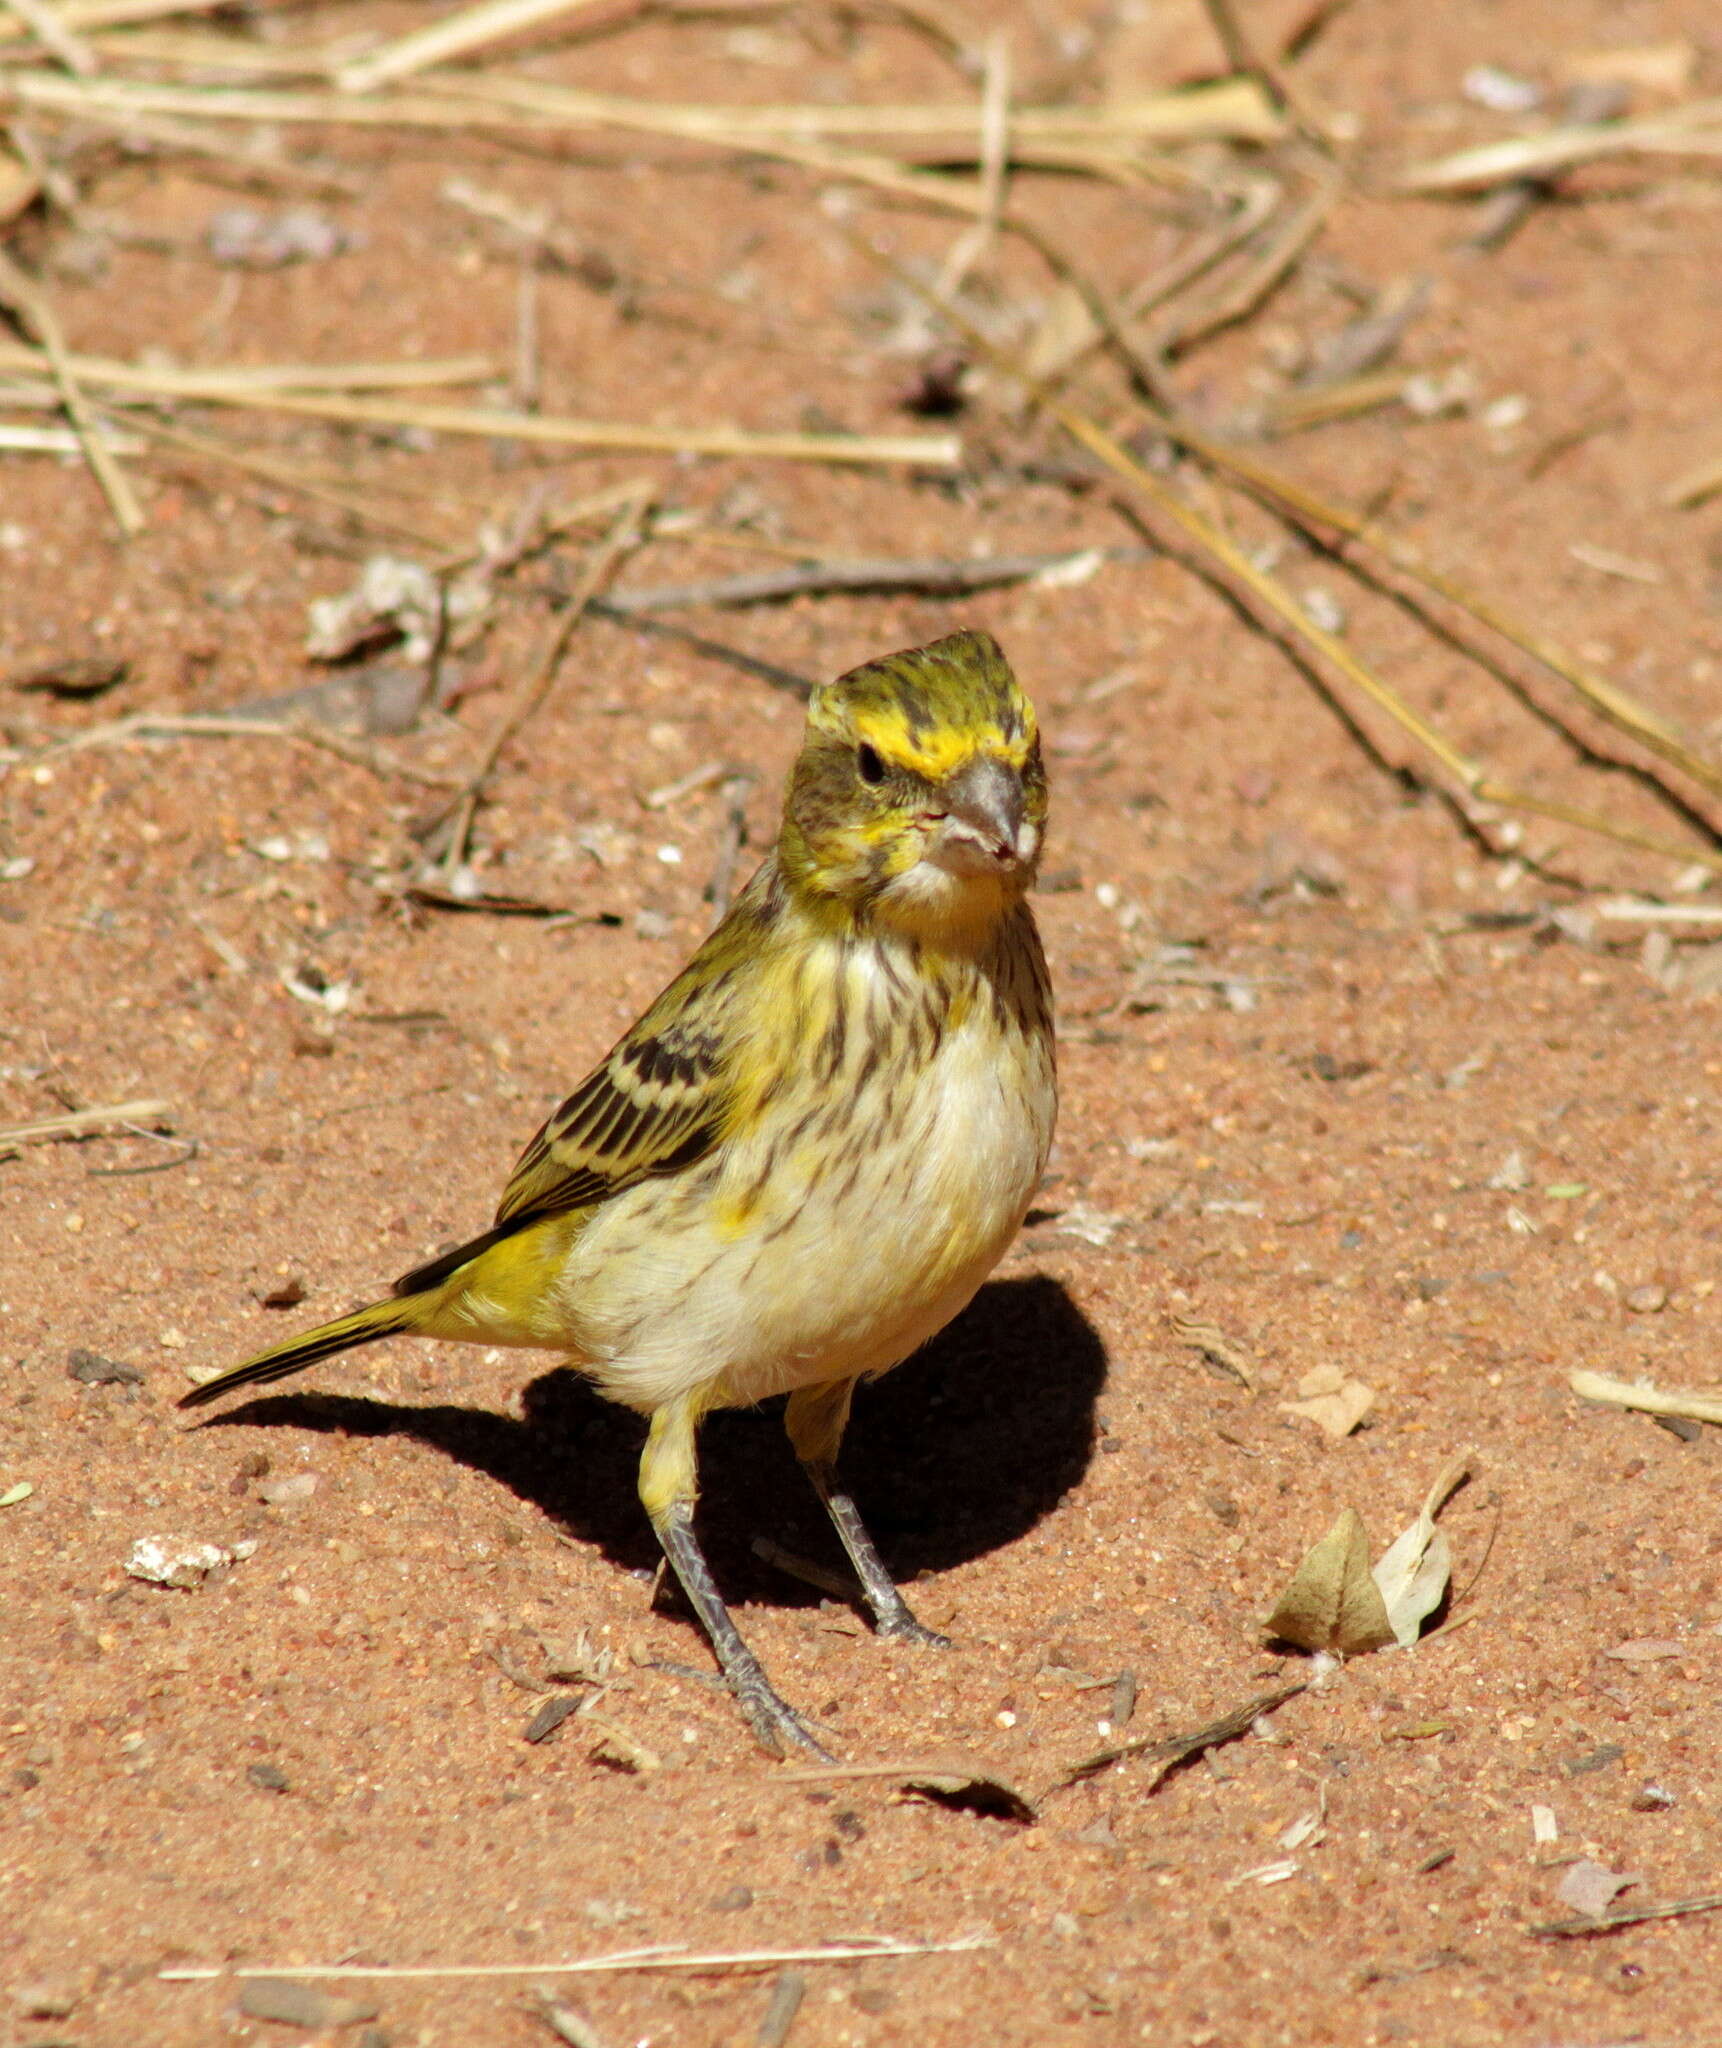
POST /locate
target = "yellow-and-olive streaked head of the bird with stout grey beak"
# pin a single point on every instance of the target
(918, 796)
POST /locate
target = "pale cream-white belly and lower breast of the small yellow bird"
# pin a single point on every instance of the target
(851, 1258)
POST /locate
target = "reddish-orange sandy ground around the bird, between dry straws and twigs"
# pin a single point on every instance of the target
(1336, 1086)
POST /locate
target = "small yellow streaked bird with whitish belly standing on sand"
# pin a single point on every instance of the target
(814, 1148)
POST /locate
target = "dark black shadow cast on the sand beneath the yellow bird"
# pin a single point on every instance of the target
(957, 1453)
